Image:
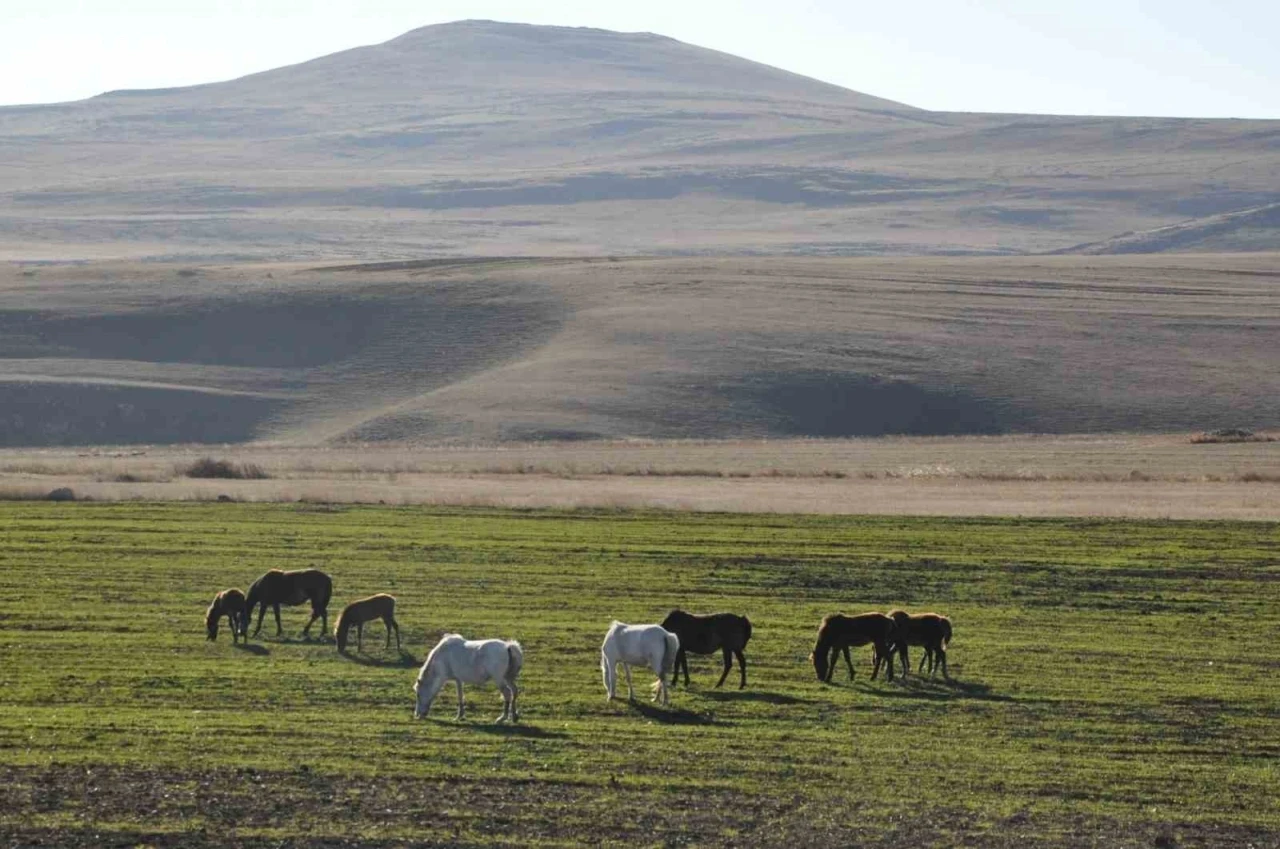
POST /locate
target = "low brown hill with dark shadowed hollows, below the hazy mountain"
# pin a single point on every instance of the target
(575, 349)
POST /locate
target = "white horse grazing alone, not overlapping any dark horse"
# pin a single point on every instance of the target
(472, 663)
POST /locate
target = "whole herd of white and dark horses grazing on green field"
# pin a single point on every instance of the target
(660, 647)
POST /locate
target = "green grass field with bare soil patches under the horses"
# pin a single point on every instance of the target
(1116, 683)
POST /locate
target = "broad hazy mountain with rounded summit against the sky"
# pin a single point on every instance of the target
(492, 139)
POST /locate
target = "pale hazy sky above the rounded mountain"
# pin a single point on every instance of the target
(1206, 58)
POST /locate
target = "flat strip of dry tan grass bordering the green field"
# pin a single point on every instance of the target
(1112, 476)
